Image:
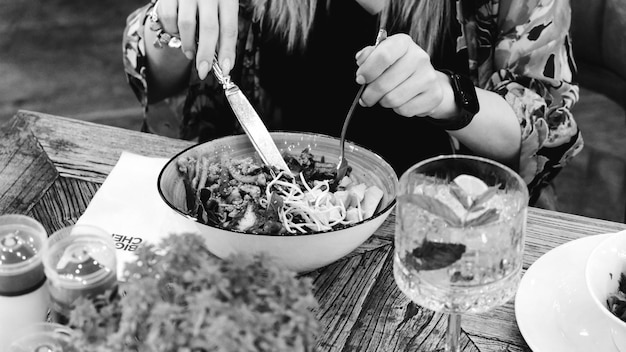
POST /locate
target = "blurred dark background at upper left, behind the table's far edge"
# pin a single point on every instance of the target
(64, 57)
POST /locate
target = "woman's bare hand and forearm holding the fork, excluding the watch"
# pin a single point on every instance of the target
(399, 75)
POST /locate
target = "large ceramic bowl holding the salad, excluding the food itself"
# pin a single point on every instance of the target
(301, 253)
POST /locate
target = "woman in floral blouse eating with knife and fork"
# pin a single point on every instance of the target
(491, 78)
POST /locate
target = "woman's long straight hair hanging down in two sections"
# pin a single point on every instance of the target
(426, 21)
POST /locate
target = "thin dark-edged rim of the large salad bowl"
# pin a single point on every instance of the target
(376, 215)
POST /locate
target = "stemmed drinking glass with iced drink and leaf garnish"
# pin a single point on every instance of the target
(459, 236)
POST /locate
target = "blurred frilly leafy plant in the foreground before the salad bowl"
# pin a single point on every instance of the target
(180, 297)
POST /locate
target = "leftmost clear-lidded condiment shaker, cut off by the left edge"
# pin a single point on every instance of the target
(23, 294)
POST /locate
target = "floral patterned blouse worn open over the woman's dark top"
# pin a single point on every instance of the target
(518, 49)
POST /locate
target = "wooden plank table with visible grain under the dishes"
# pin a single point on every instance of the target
(50, 168)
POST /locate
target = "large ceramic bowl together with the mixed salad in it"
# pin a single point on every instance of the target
(304, 219)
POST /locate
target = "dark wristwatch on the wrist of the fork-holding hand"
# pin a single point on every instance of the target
(465, 99)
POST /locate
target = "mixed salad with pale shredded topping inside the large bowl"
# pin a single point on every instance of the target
(243, 195)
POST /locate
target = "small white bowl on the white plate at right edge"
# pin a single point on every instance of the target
(602, 273)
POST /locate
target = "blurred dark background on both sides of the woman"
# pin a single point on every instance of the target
(64, 57)
